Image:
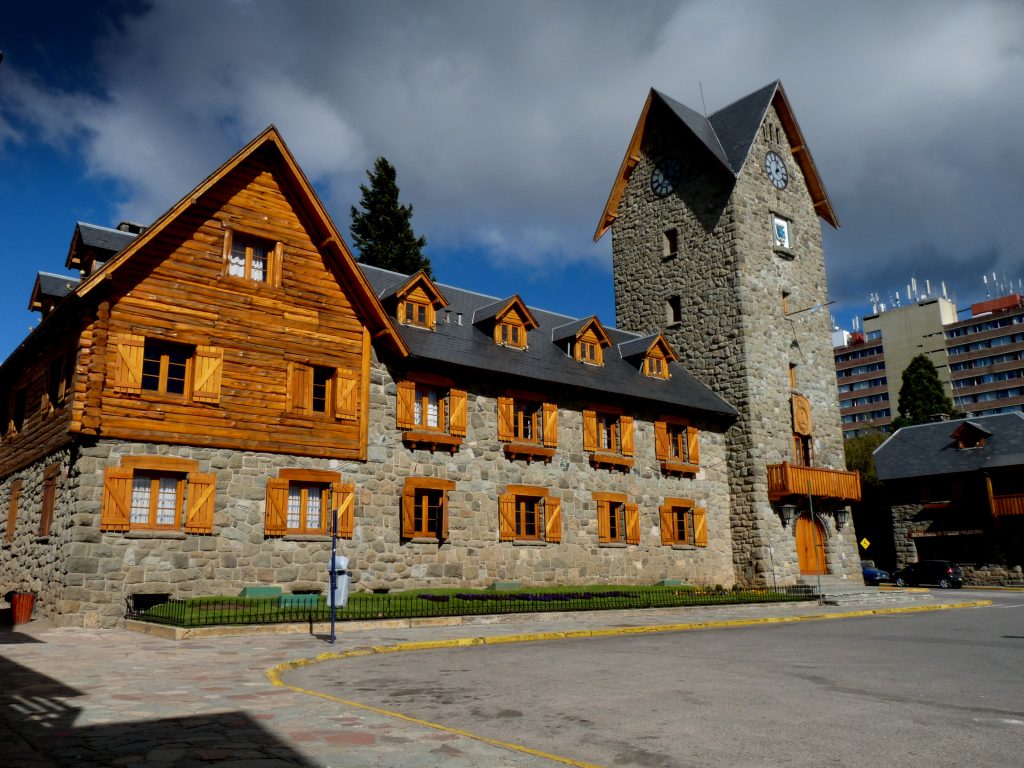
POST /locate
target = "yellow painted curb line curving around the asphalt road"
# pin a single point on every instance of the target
(274, 674)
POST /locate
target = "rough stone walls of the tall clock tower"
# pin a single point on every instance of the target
(734, 333)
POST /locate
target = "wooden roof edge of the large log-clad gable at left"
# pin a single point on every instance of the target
(302, 194)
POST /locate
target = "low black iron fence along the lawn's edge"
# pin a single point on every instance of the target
(209, 612)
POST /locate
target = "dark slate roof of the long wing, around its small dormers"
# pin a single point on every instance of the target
(544, 362)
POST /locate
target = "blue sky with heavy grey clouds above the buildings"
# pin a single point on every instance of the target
(507, 123)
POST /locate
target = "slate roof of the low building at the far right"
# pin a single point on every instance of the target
(927, 450)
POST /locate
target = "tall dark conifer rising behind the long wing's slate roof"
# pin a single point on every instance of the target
(382, 230)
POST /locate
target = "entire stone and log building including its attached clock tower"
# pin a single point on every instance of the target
(212, 394)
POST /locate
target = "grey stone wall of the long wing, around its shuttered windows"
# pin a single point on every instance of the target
(100, 569)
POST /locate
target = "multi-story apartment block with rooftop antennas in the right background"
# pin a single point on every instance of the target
(980, 360)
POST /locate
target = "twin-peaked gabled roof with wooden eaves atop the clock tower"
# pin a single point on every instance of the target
(729, 136)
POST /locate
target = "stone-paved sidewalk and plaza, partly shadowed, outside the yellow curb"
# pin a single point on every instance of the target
(114, 698)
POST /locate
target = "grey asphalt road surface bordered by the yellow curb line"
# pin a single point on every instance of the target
(932, 690)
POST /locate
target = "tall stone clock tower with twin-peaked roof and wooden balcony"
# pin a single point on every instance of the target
(717, 242)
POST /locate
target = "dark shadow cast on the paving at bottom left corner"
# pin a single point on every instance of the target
(38, 730)
